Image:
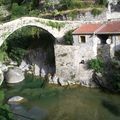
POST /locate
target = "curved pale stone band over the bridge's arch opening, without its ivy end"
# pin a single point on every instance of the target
(8, 28)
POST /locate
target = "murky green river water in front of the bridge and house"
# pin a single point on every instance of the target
(64, 103)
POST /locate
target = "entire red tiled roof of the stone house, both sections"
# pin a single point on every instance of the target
(106, 28)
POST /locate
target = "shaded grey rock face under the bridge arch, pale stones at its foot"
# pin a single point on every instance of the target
(38, 60)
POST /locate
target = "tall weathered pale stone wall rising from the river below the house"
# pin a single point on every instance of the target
(70, 67)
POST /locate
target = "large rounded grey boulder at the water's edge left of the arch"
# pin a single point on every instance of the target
(14, 75)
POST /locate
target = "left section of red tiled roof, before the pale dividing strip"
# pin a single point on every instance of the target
(87, 28)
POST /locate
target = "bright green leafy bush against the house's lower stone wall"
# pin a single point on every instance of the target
(96, 65)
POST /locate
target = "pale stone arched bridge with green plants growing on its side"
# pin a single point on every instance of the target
(54, 27)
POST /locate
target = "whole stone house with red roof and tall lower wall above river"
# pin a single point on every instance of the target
(89, 40)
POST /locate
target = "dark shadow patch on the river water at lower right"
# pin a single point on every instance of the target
(111, 107)
